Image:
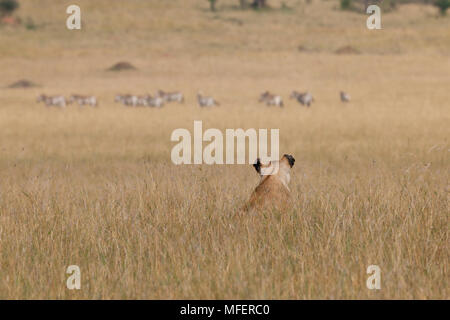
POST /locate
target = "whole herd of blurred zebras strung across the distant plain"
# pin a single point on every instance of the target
(162, 97)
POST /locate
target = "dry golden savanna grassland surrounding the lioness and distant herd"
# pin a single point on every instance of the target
(96, 187)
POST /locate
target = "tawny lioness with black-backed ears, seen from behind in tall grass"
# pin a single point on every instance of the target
(272, 191)
